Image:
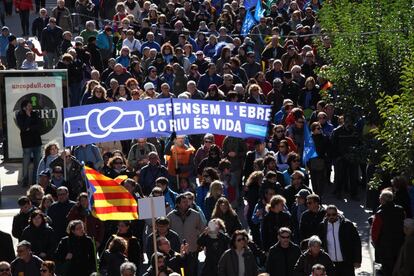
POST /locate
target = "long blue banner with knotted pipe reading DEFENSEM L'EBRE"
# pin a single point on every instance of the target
(156, 118)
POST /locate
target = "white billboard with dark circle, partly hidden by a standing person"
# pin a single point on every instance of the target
(47, 95)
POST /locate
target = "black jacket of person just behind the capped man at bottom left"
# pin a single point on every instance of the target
(42, 239)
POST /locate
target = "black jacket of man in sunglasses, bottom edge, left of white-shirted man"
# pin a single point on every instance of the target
(280, 261)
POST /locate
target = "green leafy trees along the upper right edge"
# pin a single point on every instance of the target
(372, 66)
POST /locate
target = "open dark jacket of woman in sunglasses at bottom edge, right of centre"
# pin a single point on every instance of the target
(228, 263)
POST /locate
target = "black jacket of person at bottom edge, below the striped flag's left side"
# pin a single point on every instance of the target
(83, 259)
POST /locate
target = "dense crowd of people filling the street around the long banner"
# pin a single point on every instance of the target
(252, 206)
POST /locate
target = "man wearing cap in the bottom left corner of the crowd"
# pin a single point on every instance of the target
(26, 263)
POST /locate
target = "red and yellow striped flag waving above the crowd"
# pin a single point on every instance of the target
(109, 200)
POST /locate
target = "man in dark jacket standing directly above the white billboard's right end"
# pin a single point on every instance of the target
(51, 40)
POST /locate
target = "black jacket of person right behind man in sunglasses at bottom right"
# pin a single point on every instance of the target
(272, 222)
